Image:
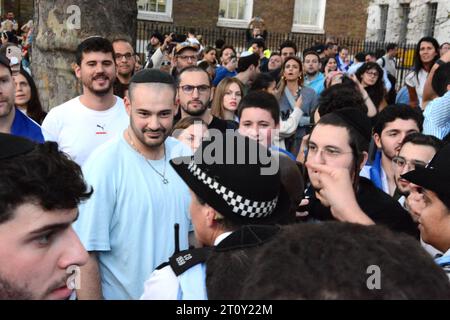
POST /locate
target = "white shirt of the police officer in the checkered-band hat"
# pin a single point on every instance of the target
(163, 284)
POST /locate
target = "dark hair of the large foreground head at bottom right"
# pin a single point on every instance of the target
(334, 260)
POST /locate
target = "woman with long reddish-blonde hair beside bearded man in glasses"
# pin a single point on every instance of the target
(227, 96)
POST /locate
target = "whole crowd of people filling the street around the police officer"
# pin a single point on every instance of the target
(207, 173)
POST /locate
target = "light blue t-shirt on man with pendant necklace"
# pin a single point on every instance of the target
(129, 220)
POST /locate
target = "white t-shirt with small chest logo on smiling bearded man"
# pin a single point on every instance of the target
(79, 130)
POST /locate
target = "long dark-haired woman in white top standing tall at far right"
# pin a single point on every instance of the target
(426, 54)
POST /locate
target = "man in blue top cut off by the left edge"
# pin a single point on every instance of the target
(12, 120)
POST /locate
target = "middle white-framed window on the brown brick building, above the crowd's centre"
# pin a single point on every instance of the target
(235, 13)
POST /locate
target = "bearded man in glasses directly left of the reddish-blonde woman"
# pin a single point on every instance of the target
(194, 97)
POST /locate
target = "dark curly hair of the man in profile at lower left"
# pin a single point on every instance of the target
(45, 177)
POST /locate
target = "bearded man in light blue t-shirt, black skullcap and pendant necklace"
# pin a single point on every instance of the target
(138, 196)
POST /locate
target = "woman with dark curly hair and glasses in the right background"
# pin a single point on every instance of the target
(370, 75)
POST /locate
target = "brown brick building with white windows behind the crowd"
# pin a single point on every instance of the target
(340, 18)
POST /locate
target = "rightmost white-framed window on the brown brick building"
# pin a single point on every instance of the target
(309, 16)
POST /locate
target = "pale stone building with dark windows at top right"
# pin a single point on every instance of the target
(408, 20)
